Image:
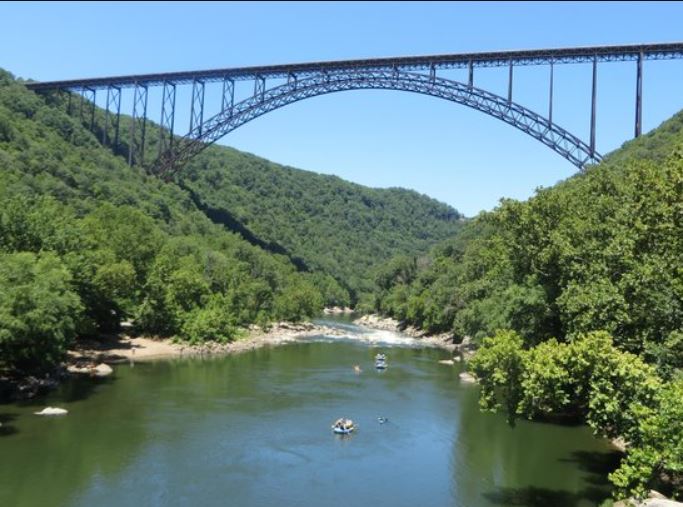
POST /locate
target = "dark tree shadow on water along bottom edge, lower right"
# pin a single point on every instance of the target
(542, 497)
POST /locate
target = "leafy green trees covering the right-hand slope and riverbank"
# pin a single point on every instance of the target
(576, 296)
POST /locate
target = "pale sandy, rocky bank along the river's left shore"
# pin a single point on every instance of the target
(124, 348)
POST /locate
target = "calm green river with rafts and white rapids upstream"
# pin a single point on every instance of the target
(253, 429)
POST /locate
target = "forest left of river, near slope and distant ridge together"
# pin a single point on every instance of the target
(87, 242)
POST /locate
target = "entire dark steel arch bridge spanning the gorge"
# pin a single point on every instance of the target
(301, 81)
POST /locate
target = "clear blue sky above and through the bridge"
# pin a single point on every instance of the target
(377, 138)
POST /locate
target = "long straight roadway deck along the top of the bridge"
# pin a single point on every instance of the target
(452, 61)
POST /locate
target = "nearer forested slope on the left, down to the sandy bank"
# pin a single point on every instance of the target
(86, 242)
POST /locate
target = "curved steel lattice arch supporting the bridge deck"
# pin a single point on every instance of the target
(264, 101)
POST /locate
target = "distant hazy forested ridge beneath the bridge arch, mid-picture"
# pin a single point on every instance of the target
(331, 225)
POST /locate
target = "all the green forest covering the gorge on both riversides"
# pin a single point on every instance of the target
(575, 296)
